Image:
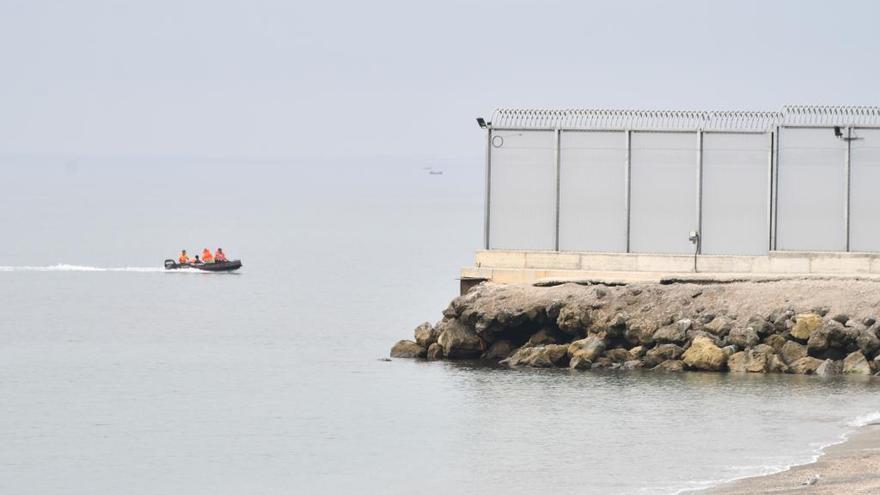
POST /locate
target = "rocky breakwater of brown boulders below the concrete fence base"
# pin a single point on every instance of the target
(797, 326)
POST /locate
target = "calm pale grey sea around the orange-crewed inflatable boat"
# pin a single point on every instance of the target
(269, 380)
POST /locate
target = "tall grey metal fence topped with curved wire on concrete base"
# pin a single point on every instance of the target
(801, 179)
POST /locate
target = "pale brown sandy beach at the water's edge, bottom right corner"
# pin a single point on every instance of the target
(852, 467)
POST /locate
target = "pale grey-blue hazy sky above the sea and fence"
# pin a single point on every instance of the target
(292, 79)
